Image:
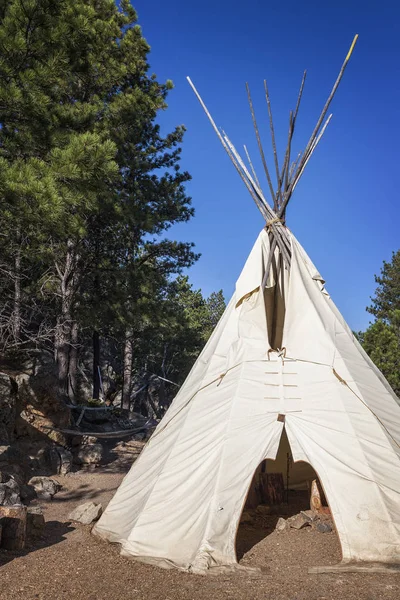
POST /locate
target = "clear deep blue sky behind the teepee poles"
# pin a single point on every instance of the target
(345, 211)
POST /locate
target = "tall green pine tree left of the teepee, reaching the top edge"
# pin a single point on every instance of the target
(88, 183)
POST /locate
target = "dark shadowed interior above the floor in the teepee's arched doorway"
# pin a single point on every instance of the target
(280, 488)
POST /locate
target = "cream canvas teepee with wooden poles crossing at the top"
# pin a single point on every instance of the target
(281, 358)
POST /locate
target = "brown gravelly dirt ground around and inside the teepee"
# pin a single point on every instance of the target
(69, 563)
